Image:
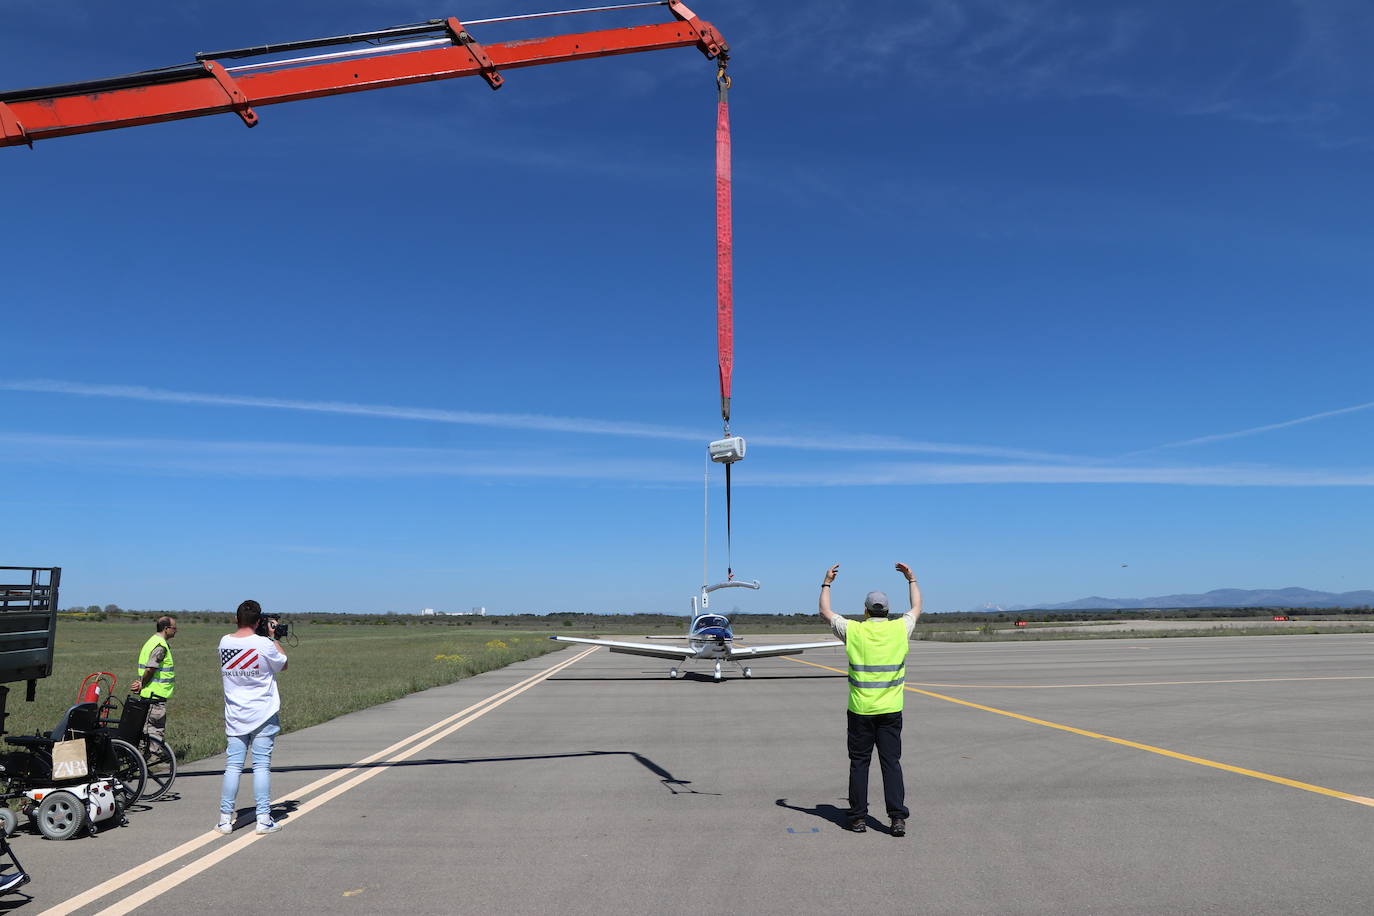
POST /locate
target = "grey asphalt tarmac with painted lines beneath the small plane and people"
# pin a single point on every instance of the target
(1112, 777)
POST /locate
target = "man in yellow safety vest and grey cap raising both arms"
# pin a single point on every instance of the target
(877, 649)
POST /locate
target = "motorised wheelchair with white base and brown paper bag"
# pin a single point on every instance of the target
(64, 807)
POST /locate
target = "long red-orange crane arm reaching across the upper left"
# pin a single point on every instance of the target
(211, 87)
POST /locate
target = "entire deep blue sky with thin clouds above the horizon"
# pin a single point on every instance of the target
(1045, 299)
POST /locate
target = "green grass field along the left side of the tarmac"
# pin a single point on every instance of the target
(337, 668)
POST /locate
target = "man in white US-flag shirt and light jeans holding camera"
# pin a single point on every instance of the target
(251, 660)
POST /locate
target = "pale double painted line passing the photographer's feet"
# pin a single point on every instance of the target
(473, 712)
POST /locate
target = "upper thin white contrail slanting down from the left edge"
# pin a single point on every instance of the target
(520, 421)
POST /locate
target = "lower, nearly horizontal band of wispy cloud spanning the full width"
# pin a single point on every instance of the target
(196, 458)
